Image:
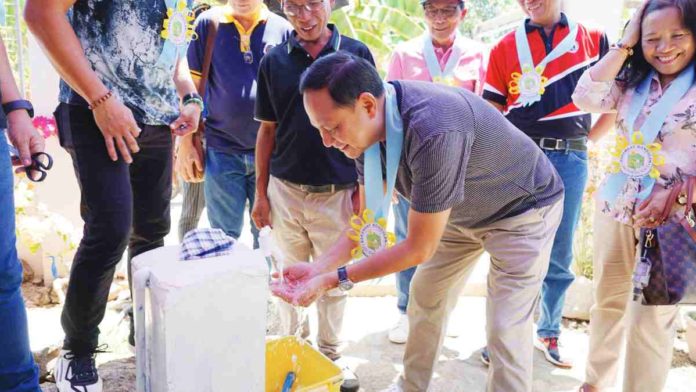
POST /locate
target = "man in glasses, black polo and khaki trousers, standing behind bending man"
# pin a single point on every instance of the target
(303, 189)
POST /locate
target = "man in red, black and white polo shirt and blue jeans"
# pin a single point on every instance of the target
(531, 76)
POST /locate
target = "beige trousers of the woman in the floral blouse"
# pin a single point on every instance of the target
(650, 329)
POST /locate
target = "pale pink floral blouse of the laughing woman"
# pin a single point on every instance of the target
(677, 135)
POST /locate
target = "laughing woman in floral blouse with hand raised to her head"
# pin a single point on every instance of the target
(655, 55)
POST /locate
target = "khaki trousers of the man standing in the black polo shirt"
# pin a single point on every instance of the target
(305, 225)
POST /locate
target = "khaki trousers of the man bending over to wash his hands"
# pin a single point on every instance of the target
(520, 247)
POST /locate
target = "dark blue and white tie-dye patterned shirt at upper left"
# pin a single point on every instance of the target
(122, 43)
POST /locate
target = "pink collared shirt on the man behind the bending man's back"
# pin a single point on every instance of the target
(408, 63)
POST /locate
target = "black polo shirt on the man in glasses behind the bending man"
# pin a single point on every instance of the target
(299, 155)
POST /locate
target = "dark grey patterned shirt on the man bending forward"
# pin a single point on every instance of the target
(461, 153)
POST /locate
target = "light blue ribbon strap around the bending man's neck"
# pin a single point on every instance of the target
(376, 199)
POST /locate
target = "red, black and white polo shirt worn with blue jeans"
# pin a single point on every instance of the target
(555, 115)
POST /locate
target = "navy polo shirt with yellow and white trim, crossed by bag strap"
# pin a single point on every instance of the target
(231, 88)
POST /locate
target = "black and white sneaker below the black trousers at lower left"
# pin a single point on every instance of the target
(76, 373)
